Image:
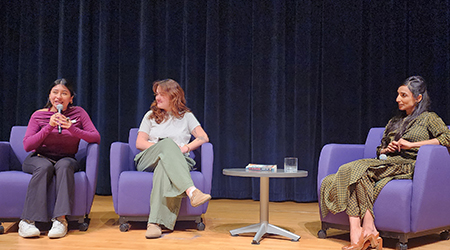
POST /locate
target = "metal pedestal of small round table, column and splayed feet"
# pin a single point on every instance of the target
(263, 226)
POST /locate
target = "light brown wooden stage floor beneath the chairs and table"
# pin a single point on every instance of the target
(222, 216)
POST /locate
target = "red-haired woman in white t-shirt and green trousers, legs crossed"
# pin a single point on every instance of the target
(164, 140)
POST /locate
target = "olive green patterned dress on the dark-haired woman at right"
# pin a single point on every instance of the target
(356, 185)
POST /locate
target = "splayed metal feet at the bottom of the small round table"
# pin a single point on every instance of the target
(262, 228)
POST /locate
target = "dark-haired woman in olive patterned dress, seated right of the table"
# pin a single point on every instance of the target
(356, 185)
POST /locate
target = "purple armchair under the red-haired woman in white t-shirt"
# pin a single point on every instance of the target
(131, 189)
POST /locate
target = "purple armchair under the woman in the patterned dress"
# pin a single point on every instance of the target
(405, 208)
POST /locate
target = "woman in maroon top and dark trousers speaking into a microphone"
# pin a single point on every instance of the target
(53, 135)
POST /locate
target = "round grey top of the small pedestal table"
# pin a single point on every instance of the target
(241, 172)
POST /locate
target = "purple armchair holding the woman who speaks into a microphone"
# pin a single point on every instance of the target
(14, 182)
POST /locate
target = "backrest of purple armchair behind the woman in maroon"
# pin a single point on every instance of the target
(16, 142)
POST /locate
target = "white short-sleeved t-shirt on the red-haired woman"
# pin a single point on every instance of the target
(179, 130)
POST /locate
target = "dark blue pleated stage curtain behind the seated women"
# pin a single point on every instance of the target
(267, 79)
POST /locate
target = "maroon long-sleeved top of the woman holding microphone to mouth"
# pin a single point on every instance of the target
(45, 139)
